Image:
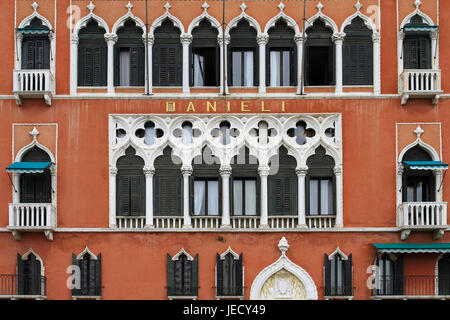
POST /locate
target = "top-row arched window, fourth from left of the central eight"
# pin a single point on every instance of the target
(204, 56)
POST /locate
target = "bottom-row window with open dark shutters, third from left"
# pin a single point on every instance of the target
(182, 276)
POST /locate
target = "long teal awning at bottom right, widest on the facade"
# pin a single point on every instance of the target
(438, 247)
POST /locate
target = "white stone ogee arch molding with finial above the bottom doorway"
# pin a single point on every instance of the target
(283, 263)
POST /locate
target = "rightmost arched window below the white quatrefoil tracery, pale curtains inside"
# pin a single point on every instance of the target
(320, 184)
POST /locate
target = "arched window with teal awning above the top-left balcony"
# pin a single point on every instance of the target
(35, 45)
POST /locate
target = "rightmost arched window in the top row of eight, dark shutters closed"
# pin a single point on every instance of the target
(357, 54)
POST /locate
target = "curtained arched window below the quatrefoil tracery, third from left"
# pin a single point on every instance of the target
(206, 185)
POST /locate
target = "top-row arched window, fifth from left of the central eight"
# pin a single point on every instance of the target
(243, 56)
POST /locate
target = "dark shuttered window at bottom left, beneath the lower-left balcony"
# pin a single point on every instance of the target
(29, 278)
